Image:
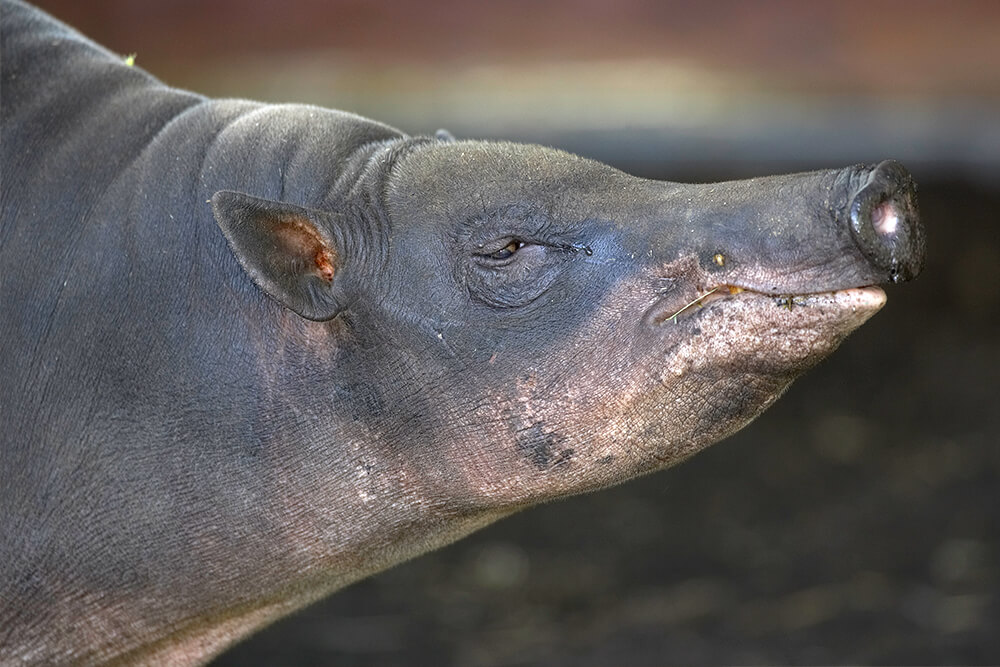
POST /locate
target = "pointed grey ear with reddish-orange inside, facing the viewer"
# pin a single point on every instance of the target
(286, 250)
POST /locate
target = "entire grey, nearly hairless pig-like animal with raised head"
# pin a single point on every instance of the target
(253, 353)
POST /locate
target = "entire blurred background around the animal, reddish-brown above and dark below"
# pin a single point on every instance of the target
(858, 521)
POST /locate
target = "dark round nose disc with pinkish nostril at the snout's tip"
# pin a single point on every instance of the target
(885, 222)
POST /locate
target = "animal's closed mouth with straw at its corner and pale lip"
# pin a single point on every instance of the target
(865, 300)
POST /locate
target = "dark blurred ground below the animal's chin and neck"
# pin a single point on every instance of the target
(858, 521)
